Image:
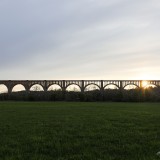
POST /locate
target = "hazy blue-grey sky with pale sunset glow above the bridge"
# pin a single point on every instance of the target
(80, 39)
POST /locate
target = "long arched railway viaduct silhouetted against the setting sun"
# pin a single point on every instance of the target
(82, 84)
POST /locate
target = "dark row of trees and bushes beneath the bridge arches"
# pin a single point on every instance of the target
(111, 95)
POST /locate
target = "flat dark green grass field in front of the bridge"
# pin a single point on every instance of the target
(79, 131)
